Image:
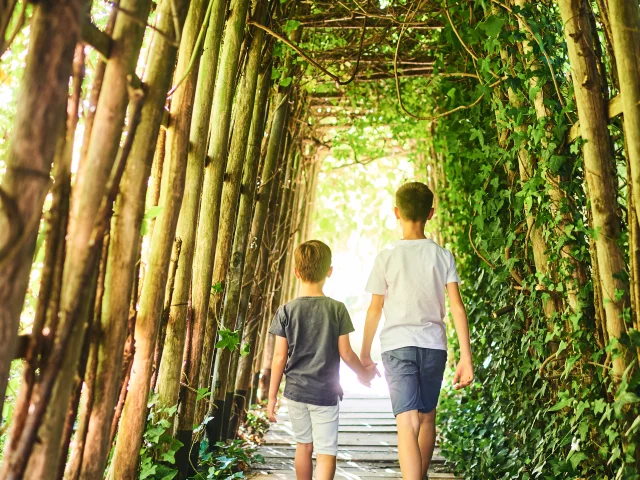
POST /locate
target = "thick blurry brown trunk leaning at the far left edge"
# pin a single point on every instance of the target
(40, 116)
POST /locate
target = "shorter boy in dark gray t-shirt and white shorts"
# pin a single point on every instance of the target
(312, 334)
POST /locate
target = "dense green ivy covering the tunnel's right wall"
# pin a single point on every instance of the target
(525, 418)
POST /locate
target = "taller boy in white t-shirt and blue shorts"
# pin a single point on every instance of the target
(409, 280)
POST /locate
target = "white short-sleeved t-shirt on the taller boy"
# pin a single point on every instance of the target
(412, 275)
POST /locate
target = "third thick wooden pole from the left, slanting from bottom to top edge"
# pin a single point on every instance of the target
(125, 250)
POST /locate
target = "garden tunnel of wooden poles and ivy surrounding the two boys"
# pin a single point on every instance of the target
(160, 159)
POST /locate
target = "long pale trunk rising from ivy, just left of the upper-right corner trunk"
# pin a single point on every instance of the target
(599, 168)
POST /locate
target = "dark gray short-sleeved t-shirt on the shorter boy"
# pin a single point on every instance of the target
(312, 326)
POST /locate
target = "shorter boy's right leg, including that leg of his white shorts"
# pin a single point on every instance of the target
(325, 439)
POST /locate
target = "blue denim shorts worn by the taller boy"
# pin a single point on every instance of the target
(414, 376)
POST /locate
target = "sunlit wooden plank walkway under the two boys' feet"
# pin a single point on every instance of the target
(368, 443)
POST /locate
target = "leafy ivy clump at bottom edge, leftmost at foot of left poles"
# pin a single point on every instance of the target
(157, 455)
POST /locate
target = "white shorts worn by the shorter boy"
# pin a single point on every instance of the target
(315, 424)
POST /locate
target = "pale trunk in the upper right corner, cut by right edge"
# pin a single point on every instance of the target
(624, 16)
